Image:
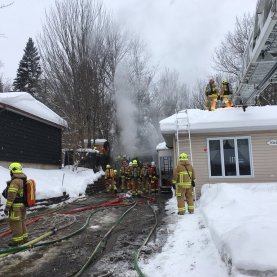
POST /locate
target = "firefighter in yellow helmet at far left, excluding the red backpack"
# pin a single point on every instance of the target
(15, 207)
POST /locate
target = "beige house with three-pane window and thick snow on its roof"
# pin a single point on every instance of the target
(226, 145)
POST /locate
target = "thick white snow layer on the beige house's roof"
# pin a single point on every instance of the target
(255, 118)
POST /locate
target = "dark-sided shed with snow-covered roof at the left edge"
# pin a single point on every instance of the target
(30, 132)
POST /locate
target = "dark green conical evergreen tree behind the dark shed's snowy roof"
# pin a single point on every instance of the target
(29, 70)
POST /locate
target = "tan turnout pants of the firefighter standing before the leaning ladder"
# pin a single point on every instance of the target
(182, 193)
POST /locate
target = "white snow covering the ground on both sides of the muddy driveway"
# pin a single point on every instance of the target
(233, 230)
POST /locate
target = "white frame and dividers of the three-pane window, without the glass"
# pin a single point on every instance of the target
(235, 138)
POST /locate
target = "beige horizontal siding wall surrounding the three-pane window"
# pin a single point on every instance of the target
(264, 157)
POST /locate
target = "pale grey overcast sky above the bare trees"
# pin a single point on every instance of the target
(180, 34)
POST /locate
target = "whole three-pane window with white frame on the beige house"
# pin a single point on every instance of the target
(230, 157)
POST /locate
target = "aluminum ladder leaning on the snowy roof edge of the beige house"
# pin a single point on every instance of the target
(186, 142)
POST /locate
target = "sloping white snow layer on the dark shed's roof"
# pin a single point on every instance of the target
(26, 103)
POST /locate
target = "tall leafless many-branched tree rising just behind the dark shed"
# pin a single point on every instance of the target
(80, 49)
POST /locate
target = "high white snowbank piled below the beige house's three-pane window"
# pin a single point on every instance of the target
(242, 221)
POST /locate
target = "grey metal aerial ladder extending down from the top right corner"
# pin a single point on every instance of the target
(259, 64)
